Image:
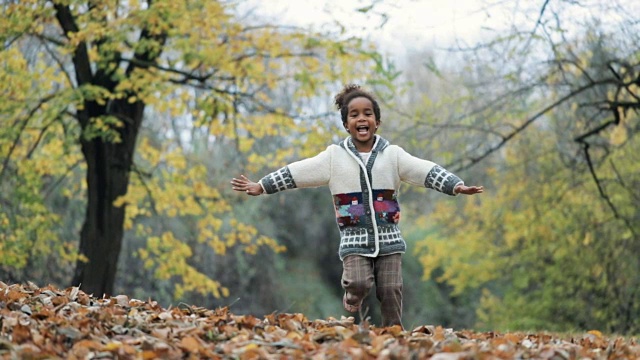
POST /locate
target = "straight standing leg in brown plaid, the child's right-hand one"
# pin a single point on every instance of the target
(388, 277)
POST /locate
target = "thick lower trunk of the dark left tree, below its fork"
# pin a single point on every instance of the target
(108, 169)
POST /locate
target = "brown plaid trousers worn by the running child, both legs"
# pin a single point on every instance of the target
(360, 273)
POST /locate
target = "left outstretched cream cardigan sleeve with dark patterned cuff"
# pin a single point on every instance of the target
(310, 172)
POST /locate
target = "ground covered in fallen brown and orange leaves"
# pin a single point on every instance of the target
(52, 323)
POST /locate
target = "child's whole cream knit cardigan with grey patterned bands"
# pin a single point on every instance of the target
(365, 195)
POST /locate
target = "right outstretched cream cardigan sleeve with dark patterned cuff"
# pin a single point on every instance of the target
(425, 173)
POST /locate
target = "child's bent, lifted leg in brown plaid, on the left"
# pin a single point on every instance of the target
(357, 280)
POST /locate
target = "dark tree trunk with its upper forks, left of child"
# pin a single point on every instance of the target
(108, 163)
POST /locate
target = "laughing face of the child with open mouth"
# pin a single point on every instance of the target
(361, 123)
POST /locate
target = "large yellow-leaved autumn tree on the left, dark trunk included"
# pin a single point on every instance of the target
(107, 73)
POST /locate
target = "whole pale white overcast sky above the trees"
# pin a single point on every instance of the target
(433, 24)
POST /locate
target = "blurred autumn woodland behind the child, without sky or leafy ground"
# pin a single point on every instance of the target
(122, 123)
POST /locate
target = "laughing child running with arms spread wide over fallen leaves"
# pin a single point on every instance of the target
(363, 173)
